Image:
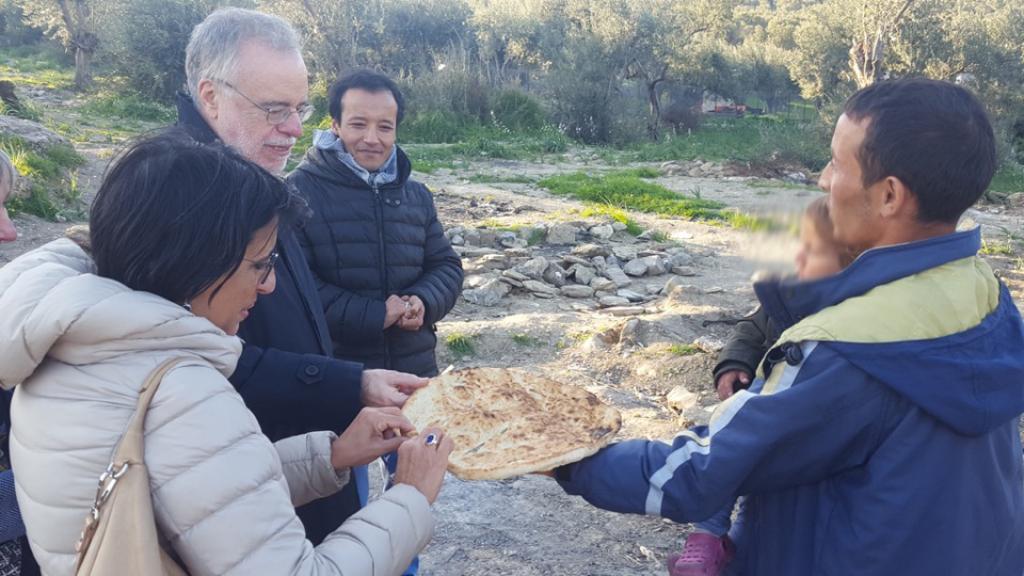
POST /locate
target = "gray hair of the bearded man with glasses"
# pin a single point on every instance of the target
(214, 49)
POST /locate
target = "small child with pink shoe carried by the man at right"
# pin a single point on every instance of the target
(709, 549)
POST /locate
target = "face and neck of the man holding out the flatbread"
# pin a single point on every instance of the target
(855, 210)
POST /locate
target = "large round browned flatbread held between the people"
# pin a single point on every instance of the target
(507, 423)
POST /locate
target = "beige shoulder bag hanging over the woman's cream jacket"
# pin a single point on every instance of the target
(120, 534)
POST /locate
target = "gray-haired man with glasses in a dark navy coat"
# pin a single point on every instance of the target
(248, 88)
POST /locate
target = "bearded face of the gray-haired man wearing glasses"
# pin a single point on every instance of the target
(236, 108)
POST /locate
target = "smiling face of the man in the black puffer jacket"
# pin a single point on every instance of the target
(368, 126)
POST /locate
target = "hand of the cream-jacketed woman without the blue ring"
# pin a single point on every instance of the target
(375, 432)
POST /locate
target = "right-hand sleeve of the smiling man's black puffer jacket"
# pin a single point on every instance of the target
(442, 281)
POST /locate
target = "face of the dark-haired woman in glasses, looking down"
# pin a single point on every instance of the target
(238, 295)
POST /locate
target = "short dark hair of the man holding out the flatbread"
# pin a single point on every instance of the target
(934, 137)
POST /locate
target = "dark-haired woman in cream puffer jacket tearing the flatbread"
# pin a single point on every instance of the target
(183, 239)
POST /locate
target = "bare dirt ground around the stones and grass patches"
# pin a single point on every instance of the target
(528, 526)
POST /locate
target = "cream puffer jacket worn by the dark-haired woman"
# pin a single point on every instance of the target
(79, 348)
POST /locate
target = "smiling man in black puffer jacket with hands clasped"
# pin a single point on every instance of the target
(386, 271)
